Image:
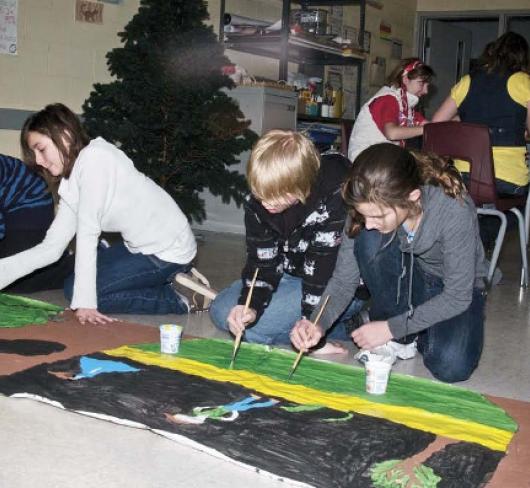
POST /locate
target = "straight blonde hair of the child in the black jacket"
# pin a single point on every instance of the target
(282, 162)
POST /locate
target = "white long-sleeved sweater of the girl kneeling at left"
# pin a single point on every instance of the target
(105, 193)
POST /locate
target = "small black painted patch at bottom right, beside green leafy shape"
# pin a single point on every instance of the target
(464, 465)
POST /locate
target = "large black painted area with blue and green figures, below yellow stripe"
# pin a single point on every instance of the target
(299, 446)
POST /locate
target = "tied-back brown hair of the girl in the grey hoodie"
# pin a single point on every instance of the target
(386, 174)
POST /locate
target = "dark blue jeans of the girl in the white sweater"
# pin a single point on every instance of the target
(134, 283)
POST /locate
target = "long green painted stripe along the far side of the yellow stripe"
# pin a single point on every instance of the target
(403, 390)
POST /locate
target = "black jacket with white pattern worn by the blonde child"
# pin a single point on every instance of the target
(302, 241)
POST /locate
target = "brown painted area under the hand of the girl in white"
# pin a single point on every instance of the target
(78, 339)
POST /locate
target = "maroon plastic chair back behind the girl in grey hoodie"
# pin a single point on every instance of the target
(472, 143)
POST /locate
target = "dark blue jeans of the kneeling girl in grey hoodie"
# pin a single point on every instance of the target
(451, 349)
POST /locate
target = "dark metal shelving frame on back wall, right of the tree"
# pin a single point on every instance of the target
(299, 49)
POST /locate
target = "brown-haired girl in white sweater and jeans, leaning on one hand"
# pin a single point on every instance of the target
(100, 191)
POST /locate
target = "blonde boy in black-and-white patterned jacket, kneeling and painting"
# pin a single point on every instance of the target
(294, 220)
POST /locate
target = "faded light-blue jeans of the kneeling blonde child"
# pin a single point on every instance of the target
(279, 317)
